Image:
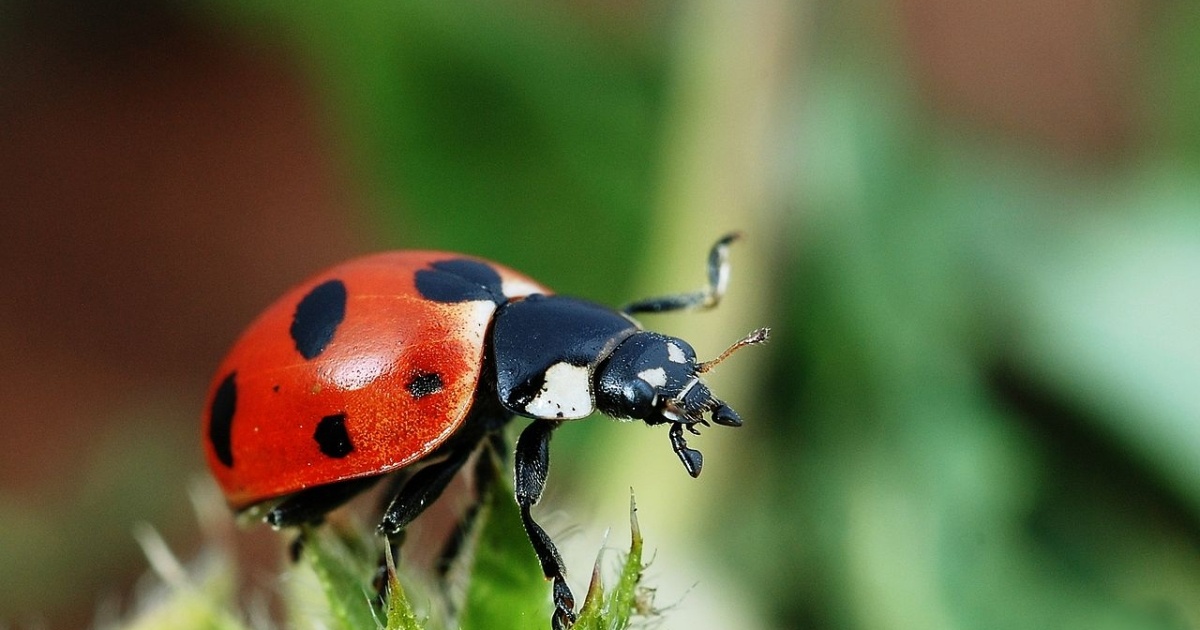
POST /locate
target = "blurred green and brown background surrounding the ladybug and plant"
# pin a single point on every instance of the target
(975, 230)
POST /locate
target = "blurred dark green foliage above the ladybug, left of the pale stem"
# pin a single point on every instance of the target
(473, 121)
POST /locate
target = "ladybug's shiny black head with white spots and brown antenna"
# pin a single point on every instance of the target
(656, 379)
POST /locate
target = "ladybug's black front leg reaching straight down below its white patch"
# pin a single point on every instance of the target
(532, 466)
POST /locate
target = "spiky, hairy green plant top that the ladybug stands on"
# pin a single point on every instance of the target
(332, 581)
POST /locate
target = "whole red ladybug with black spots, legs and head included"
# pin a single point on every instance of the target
(410, 362)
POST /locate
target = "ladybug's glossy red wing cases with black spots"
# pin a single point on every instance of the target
(391, 346)
